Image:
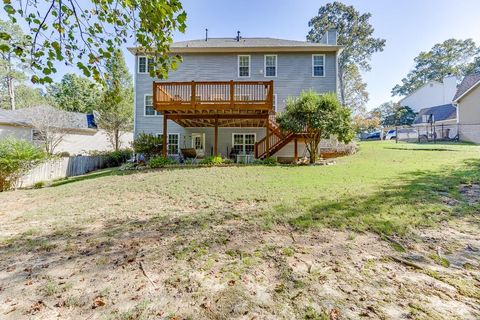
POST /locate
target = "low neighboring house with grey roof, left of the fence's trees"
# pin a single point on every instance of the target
(81, 136)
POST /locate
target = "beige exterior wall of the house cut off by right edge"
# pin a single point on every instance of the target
(469, 116)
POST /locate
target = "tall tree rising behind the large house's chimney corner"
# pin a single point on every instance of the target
(354, 33)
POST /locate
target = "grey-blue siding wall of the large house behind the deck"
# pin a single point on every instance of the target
(294, 74)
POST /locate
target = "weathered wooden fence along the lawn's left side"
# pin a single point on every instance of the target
(60, 168)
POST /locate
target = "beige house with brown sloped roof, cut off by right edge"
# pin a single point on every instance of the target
(467, 100)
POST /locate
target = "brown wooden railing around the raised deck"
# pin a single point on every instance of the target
(213, 95)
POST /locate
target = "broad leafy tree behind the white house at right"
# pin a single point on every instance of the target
(452, 56)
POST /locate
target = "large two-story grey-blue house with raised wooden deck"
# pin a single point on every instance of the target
(224, 94)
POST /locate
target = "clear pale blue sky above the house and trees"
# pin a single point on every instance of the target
(409, 26)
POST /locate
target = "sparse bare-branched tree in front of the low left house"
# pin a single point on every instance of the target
(50, 125)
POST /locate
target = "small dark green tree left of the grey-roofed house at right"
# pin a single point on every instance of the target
(393, 114)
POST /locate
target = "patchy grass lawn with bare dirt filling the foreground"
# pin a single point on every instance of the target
(389, 232)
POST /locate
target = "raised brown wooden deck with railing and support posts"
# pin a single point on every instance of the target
(215, 104)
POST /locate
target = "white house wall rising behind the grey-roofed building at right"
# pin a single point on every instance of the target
(433, 93)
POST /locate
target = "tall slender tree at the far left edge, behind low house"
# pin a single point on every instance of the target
(12, 70)
